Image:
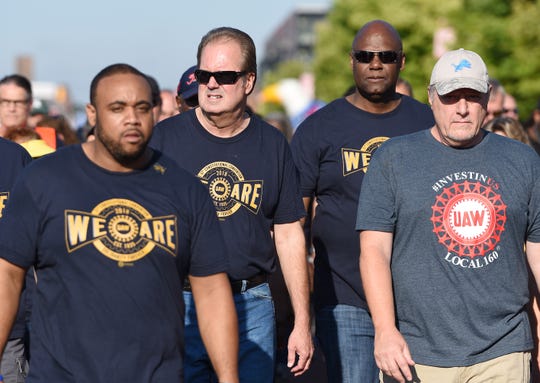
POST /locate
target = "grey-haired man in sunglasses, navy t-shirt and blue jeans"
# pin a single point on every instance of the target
(247, 166)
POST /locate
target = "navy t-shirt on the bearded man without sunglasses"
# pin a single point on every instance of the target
(110, 252)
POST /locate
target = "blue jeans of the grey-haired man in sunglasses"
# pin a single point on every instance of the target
(256, 328)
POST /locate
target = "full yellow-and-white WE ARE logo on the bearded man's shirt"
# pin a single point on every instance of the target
(121, 230)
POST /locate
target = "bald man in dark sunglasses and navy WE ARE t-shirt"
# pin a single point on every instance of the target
(332, 149)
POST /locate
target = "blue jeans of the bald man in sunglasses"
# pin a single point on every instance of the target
(346, 335)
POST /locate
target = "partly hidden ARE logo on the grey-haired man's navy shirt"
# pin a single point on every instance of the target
(229, 190)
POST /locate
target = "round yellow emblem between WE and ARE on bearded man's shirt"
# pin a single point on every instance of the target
(121, 241)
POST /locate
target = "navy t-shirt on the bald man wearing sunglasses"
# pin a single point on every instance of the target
(332, 149)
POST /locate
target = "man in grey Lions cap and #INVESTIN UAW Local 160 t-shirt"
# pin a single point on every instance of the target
(444, 215)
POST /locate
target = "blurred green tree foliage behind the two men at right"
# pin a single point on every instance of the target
(506, 33)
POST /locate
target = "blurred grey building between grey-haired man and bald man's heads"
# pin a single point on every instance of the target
(294, 39)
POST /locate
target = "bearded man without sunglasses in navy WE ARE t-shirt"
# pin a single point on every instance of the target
(112, 228)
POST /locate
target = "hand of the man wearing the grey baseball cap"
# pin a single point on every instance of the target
(392, 355)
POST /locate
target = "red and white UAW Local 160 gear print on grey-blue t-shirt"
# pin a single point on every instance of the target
(468, 219)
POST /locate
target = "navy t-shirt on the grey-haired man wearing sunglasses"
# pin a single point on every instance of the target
(251, 178)
